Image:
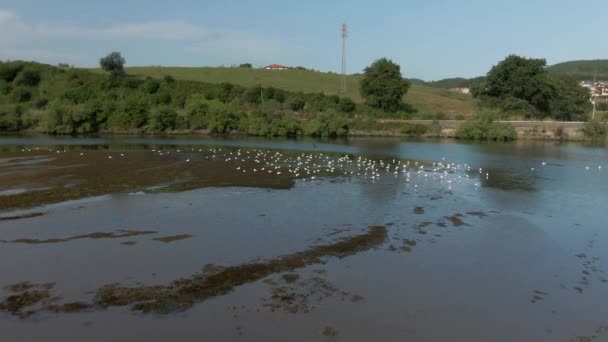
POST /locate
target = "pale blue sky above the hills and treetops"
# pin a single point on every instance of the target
(430, 39)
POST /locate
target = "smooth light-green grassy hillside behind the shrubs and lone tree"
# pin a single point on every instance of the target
(426, 100)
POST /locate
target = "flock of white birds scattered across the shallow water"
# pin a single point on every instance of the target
(309, 166)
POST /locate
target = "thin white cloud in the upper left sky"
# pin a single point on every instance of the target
(21, 40)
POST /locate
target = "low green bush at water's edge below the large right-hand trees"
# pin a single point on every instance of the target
(483, 127)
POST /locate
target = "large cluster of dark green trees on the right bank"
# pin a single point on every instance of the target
(523, 85)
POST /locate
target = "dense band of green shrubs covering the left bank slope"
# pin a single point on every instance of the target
(54, 100)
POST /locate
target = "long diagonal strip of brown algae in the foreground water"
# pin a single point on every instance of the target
(183, 293)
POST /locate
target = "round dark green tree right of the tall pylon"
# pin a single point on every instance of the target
(383, 86)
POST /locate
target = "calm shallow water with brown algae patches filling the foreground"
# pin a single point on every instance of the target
(514, 252)
